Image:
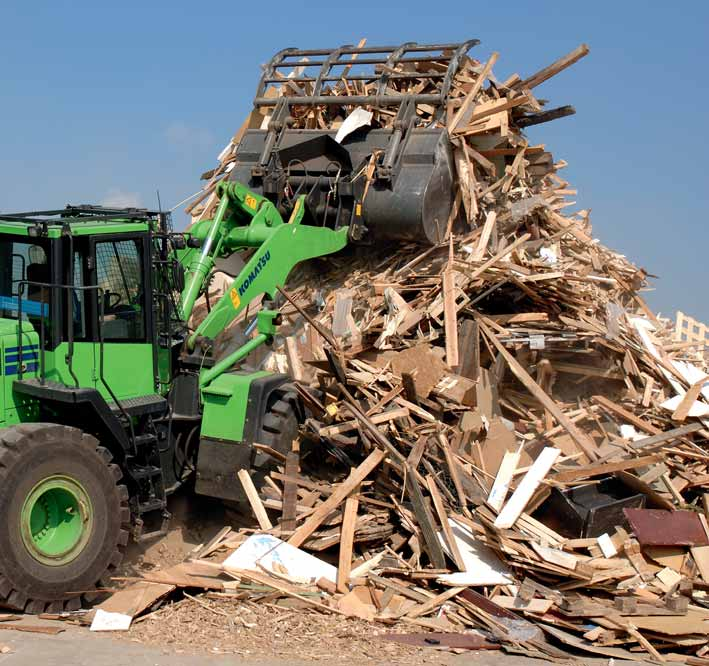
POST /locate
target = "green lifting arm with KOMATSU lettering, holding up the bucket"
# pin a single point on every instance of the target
(243, 220)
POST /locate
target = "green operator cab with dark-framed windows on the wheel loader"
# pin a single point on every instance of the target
(85, 305)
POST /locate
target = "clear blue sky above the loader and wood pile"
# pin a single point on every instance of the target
(107, 102)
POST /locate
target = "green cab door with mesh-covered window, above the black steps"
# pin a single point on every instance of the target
(125, 362)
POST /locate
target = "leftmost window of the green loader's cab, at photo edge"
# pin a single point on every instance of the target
(23, 259)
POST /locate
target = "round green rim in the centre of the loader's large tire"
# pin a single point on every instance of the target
(56, 521)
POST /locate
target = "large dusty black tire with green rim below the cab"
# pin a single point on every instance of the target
(53, 473)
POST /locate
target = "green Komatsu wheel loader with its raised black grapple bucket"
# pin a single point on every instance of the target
(108, 401)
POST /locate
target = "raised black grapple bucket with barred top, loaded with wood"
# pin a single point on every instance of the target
(364, 138)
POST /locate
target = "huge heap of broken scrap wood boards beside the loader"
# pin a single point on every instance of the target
(504, 437)
